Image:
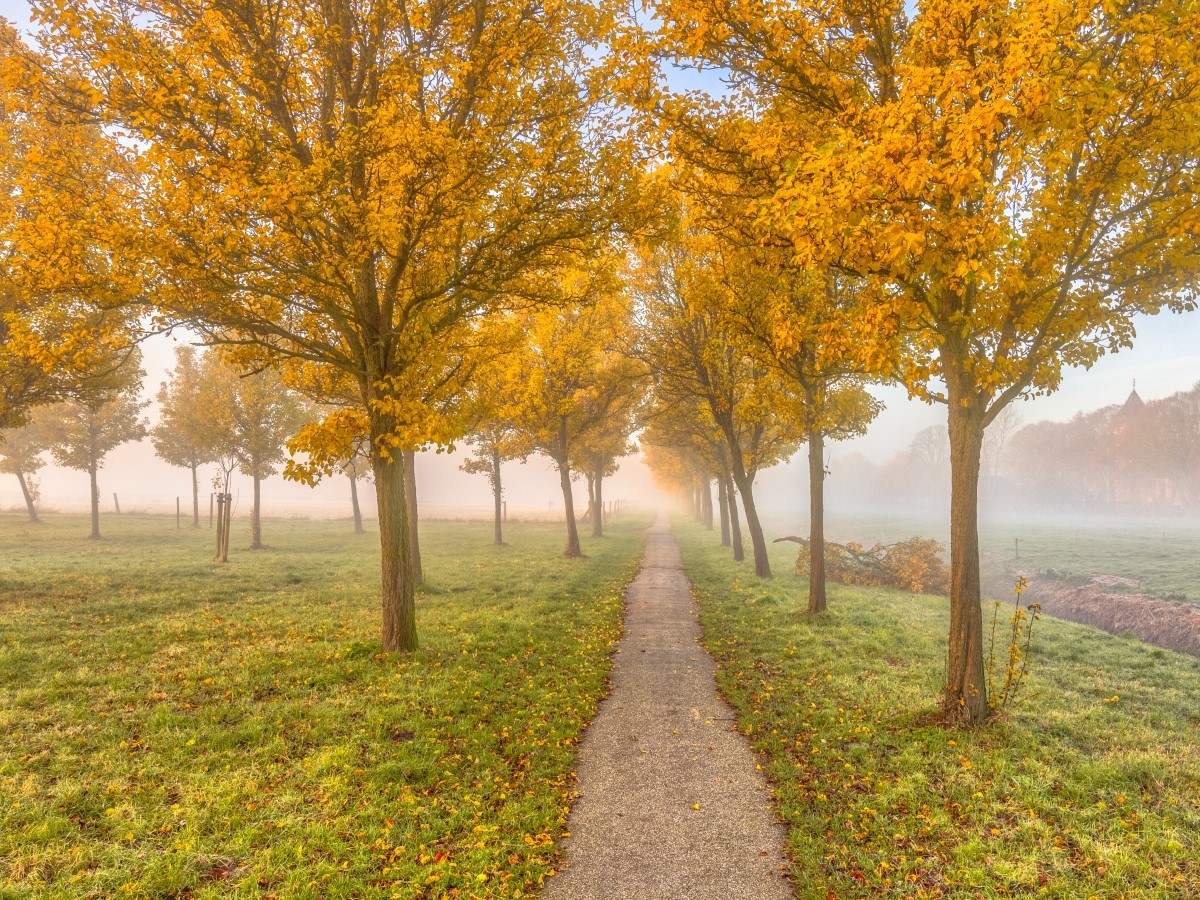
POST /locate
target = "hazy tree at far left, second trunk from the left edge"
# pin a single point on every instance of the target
(80, 434)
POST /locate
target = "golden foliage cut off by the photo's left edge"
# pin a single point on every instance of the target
(62, 238)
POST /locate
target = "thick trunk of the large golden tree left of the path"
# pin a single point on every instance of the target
(399, 599)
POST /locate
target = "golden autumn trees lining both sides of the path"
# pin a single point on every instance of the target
(400, 209)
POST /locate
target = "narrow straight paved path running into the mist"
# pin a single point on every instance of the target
(662, 743)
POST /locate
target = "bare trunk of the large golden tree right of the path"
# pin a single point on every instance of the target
(965, 698)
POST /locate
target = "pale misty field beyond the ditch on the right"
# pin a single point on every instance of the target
(1160, 555)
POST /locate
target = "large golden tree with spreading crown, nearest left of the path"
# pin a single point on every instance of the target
(351, 185)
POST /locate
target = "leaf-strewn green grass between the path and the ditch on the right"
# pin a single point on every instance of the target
(1090, 789)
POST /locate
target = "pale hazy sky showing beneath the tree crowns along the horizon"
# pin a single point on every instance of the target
(1165, 359)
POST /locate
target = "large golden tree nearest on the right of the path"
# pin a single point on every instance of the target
(1013, 182)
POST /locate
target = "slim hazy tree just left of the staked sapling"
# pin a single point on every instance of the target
(183, 436)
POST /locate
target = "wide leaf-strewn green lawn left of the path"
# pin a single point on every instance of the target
(173, 728)
